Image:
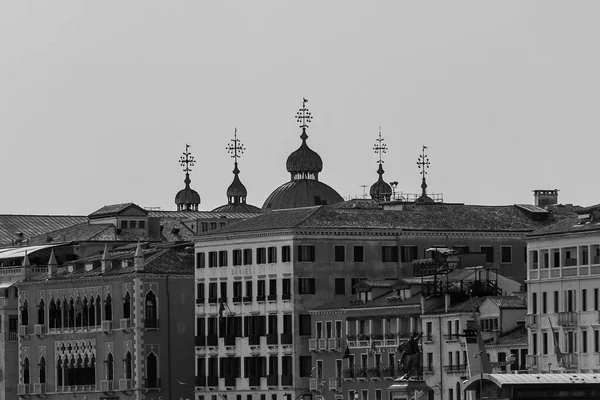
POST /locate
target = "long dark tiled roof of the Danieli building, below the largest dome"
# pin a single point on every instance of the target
(437, 217)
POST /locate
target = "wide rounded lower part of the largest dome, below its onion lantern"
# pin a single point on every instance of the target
(301, 193)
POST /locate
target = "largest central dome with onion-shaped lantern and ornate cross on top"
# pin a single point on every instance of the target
(304, 188)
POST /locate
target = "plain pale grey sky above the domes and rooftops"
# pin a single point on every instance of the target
(98, 99)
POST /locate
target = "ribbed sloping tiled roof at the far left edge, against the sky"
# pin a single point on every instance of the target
(33, 225)
